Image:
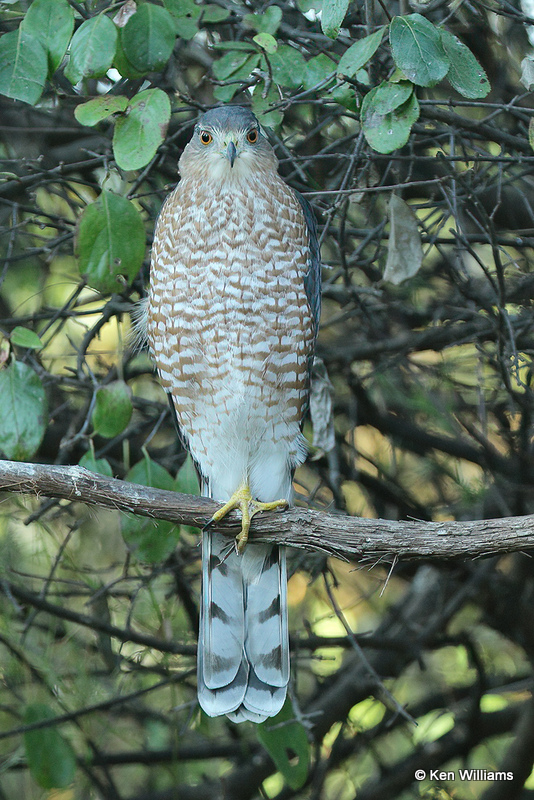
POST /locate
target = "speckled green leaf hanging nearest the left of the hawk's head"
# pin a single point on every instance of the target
(141, 130)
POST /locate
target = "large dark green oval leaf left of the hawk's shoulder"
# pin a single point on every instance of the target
(110, 242)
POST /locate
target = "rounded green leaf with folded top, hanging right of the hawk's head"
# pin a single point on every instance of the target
(388, 132)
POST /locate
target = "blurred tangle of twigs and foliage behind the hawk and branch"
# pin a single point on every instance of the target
(432, 394)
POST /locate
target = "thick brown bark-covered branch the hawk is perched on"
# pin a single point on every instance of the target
(335, 534)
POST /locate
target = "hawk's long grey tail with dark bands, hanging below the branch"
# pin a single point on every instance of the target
(243, 660)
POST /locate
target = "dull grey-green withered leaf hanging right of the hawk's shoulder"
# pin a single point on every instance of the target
(405, 251)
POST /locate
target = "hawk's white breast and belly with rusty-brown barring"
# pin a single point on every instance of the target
(230, 328)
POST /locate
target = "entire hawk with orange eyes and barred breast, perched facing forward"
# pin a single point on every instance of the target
(232, 320)
